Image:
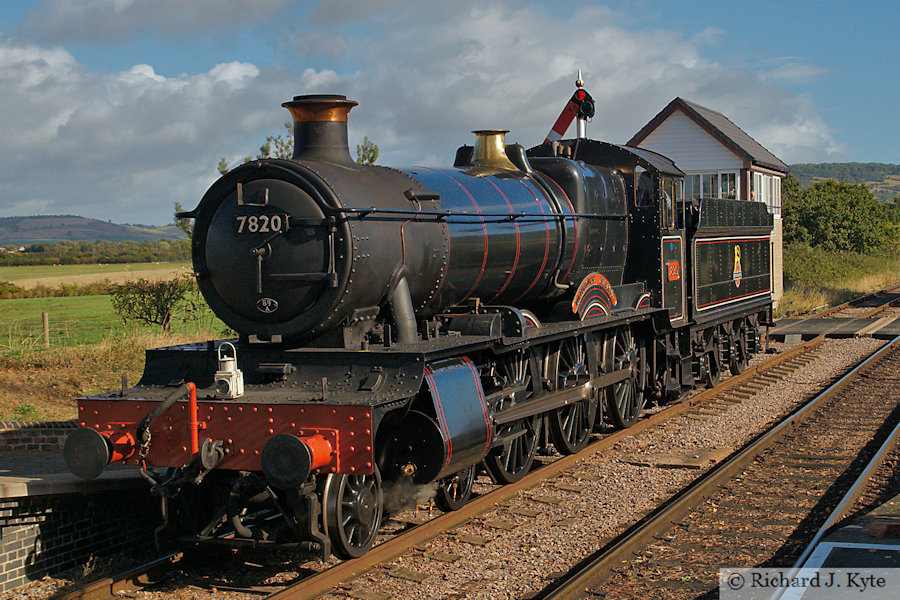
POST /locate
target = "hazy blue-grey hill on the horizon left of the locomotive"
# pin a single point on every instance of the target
(68, 228)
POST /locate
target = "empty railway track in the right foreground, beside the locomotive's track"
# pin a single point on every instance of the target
(764, 506)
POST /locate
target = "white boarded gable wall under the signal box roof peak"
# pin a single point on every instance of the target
(690, 146)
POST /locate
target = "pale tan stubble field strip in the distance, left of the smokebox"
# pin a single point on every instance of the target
(53, 275)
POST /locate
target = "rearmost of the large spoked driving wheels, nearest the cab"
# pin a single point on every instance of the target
(625, 399)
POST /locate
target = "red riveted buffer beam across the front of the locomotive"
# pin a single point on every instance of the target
(244, 429)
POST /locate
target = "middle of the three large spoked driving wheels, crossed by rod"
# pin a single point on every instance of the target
(570, 426)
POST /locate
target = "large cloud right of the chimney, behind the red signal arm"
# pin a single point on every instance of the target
(425, 78)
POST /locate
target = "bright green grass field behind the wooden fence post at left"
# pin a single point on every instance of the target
(75, 320)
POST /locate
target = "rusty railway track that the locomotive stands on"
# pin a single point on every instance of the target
(309, 585)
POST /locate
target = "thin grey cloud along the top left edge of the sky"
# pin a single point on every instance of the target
(63, 21)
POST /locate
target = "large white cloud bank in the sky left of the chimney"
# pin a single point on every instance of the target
(123, 145)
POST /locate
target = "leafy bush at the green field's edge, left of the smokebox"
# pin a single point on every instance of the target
(154, 302)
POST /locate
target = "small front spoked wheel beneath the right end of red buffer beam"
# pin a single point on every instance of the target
(353, 506)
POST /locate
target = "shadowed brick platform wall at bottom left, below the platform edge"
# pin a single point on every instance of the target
(46, 535)
